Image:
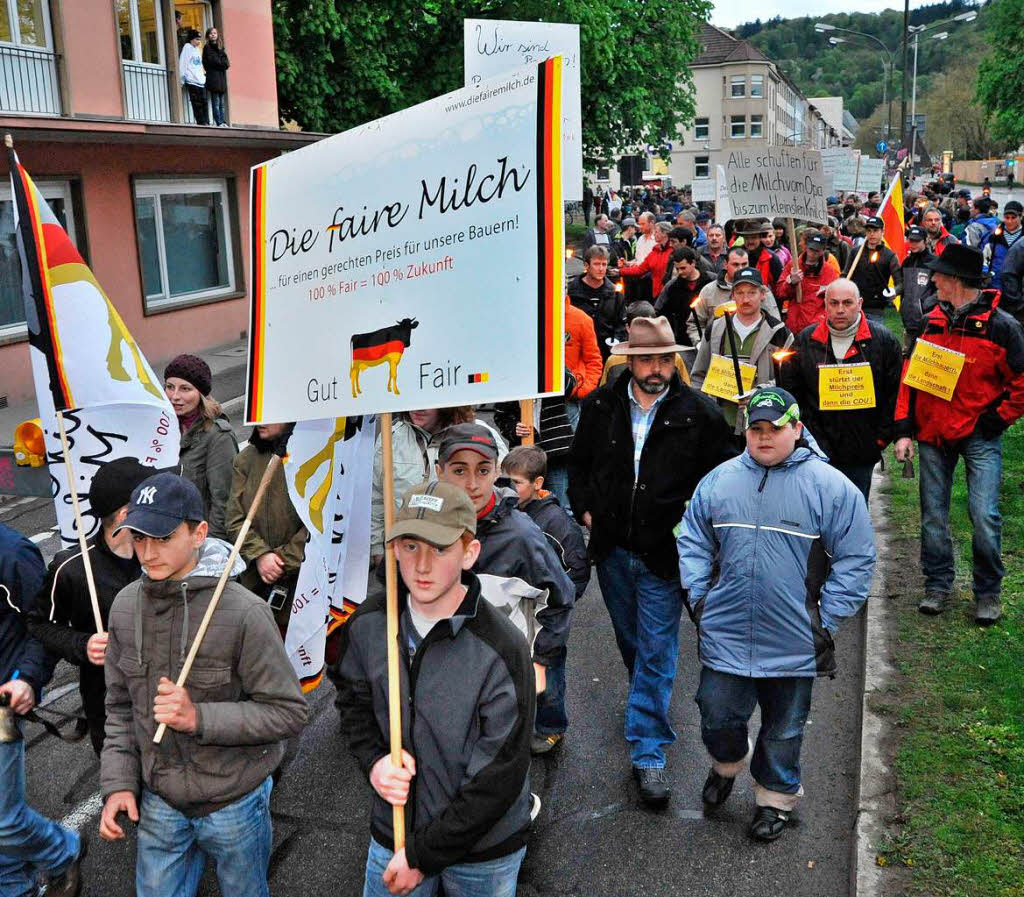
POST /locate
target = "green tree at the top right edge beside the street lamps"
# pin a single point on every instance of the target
(1001, 75)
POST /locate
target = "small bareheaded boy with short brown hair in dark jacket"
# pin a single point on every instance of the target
(527, 466)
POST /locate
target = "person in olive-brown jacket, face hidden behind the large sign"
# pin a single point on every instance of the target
(275, 546)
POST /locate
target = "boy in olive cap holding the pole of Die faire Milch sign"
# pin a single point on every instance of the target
(470, 705)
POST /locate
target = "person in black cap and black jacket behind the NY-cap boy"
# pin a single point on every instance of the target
(62, 614)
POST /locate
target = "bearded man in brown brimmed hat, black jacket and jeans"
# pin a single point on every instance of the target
(643, 446)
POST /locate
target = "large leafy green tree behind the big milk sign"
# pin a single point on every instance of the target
(342, 65)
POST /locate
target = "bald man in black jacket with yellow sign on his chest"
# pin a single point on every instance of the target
(852, 424)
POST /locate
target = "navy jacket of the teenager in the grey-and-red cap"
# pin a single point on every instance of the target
(513, 545)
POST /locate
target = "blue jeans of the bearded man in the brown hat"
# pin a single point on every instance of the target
(645, 611)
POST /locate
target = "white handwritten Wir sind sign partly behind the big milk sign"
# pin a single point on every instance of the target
(492, 48)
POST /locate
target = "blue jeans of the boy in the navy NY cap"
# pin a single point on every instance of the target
(174, 848)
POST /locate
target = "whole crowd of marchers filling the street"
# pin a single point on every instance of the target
(700, 459)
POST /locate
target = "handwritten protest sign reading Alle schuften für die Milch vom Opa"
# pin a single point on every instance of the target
(777, 182)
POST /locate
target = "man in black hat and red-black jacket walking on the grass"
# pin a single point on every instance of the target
(988, 398)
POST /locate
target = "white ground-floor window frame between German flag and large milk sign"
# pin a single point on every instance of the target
(155, 189)
